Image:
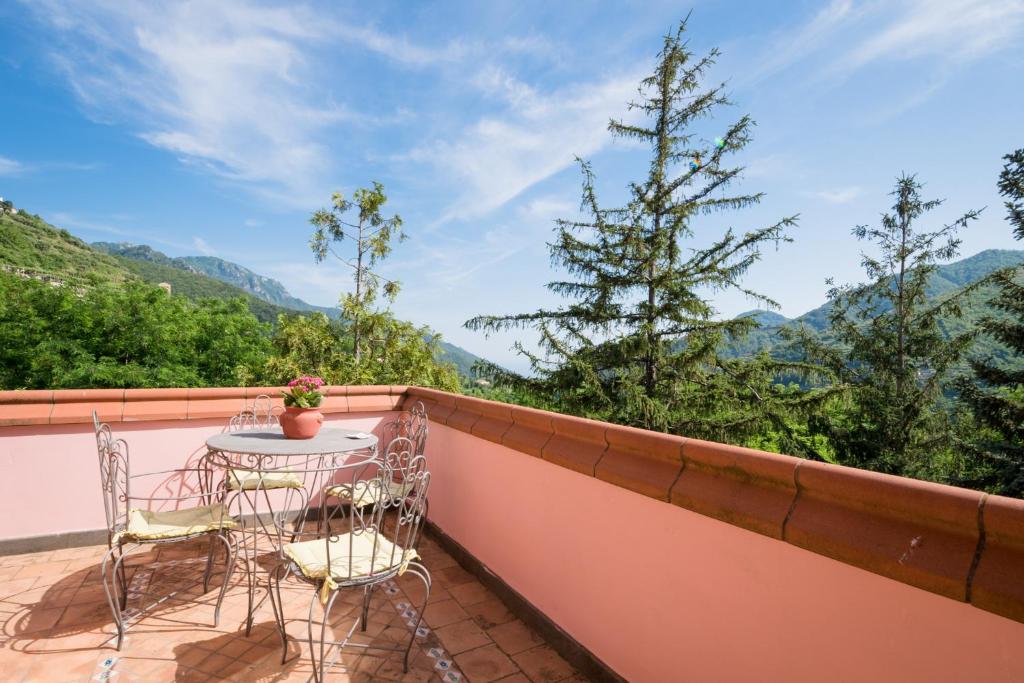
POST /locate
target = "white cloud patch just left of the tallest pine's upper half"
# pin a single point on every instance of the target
(537, 136)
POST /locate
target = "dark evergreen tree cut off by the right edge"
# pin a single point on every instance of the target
(997, 395)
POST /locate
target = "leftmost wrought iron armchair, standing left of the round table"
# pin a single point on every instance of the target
(131, 528)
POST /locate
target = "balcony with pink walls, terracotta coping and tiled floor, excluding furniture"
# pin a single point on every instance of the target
(564, 549)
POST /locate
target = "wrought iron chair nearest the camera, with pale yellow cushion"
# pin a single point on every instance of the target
(364, 554)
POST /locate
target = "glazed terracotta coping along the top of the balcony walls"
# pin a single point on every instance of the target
(962, 544)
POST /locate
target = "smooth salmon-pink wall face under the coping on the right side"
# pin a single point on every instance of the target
(661, 593)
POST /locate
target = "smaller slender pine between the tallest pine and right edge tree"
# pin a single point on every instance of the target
(886, 353)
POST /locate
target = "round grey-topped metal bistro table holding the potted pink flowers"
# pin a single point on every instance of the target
(270, 474)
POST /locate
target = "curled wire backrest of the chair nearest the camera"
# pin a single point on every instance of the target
(405, 513)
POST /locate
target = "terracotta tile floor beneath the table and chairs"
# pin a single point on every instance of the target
(58, 627)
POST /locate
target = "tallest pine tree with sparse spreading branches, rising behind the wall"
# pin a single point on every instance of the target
(638, 341)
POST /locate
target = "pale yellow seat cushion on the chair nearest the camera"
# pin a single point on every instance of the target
(311, 558)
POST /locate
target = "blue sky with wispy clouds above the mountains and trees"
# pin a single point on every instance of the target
(219, 127)
